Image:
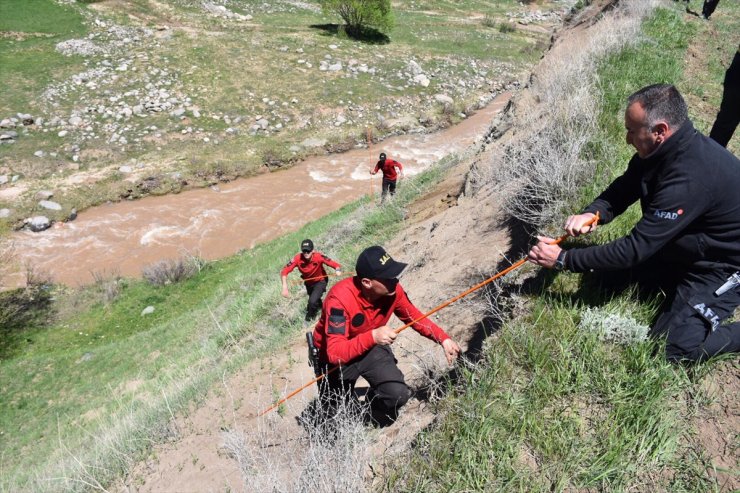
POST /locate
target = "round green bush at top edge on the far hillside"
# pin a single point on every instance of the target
(359, 15)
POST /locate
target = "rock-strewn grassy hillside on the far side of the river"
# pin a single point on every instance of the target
(187, 94)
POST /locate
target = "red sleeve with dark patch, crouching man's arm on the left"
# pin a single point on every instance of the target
(340, 349)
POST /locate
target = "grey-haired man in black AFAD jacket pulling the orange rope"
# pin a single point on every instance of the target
(689, 192)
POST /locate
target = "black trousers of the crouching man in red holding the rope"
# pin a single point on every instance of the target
(379, 367)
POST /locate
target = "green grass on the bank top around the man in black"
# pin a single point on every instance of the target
(550, 407)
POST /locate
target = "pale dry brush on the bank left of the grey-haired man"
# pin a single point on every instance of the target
(544, 164)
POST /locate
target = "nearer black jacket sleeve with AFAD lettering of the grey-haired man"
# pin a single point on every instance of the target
(677, 202)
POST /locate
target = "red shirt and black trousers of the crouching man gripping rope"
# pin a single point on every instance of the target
(344, 337)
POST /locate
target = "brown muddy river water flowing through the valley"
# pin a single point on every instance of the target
(124, 237)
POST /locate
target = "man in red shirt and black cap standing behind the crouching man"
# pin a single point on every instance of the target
(311, 266)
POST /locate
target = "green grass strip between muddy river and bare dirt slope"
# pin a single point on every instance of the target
(89, 368)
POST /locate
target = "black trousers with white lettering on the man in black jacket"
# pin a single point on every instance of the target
(692, 325)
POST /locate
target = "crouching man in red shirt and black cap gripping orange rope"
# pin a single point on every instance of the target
(352, 332)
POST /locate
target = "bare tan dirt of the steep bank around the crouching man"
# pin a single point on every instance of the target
(451, 241)
